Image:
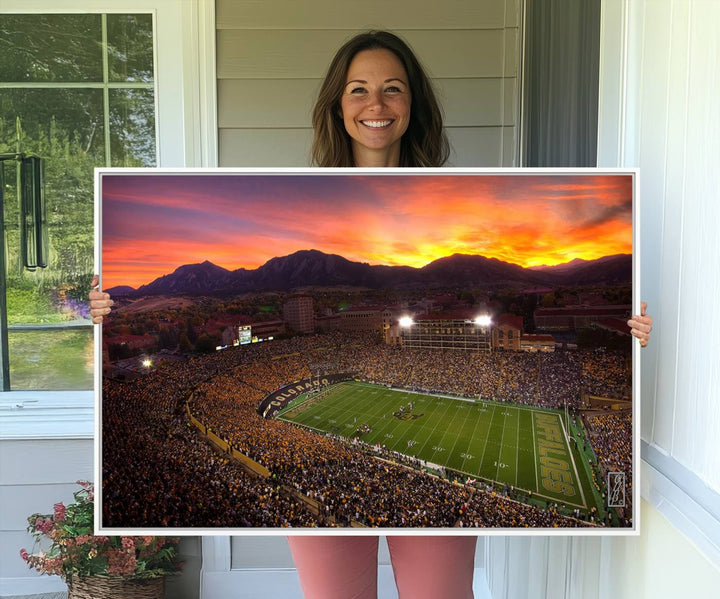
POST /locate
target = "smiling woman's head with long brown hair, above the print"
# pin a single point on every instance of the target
(377, 108)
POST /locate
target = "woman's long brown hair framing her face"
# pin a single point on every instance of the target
(423, 144)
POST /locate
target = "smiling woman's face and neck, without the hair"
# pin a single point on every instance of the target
(375, 107)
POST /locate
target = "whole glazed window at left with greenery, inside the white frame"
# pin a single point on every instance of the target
(77, 90)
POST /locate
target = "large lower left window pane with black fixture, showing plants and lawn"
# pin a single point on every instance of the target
(65, 127)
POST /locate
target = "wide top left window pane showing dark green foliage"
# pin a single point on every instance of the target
(50, 48)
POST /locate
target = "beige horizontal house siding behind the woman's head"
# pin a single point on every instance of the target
(271, 58)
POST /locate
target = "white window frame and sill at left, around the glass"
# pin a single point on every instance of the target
(186, 135)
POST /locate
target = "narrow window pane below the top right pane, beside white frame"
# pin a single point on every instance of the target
(132, 127)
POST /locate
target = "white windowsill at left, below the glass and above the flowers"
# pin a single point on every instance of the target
(46, 415)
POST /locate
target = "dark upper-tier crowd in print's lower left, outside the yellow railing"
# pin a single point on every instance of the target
(158, 472)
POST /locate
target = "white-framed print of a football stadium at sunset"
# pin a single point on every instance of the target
(348, 350)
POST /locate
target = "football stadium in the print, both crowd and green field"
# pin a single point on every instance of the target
(341, 430)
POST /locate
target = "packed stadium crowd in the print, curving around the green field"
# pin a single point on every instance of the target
(159, 471)
